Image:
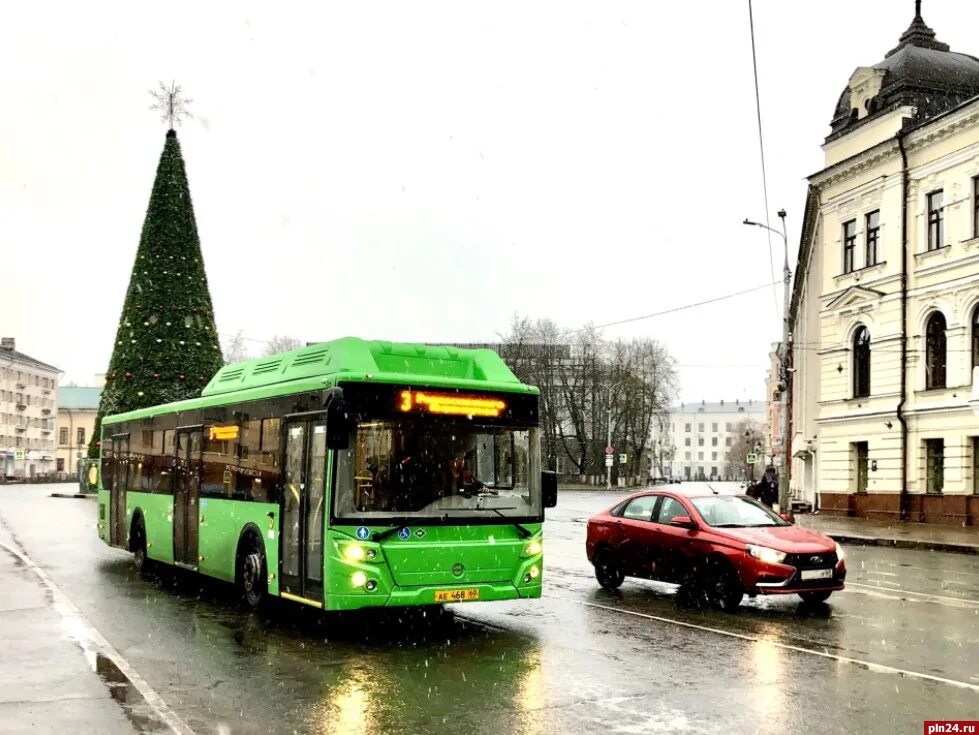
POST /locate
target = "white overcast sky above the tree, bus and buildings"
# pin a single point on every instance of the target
(423, 171)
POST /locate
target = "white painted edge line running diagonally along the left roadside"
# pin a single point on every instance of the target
(92, 642)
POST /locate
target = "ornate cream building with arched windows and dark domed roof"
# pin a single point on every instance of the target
(885, 308)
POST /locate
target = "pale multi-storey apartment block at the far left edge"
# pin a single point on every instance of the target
(28, 410)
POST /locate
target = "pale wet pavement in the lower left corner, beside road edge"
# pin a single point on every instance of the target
(46, 683)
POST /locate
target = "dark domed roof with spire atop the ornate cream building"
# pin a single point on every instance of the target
(921, 72)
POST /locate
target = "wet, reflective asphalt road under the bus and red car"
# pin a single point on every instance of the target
(899, 646)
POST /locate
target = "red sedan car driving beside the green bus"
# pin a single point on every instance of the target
(721, 546)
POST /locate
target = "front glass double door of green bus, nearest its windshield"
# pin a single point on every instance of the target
(303, 506)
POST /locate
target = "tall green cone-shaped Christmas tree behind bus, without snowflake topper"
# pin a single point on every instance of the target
(166, 346)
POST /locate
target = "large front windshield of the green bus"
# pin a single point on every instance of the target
(446, 471)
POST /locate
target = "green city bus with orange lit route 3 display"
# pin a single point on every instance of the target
(343, 475)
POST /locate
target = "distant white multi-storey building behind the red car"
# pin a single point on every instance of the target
(699, 436)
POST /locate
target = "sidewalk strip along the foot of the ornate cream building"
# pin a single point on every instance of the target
(893, 533)
